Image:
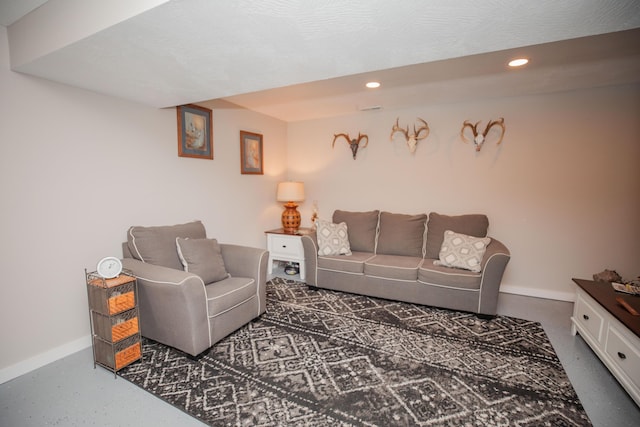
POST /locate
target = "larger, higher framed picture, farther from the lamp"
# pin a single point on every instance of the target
(195, 132)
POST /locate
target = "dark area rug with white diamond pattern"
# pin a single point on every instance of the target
(318, 358)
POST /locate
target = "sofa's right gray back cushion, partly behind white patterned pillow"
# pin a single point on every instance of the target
(475, 225)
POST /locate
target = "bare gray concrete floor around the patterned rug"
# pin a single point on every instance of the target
(69, 392)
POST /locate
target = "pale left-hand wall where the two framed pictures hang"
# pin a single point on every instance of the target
(77, 169)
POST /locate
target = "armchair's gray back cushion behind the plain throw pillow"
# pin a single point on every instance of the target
(157, 245)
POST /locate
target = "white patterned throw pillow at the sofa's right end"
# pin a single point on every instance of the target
(462, 251)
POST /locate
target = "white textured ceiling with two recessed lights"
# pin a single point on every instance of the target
(303, 59)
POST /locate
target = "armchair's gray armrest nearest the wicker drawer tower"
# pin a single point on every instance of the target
(173, 306)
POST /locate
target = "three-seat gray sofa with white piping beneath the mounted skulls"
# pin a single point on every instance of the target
(396, 256)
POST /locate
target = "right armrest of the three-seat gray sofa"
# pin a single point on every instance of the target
(494, 264)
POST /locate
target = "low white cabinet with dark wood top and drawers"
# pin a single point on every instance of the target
(611, 330)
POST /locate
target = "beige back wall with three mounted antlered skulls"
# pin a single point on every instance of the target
(562, 191)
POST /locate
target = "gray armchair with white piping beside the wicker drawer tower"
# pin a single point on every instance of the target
(222, 289)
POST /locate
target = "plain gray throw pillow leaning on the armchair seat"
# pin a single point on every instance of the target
(203, 258)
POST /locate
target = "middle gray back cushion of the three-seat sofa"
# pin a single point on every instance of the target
(401, 234)
